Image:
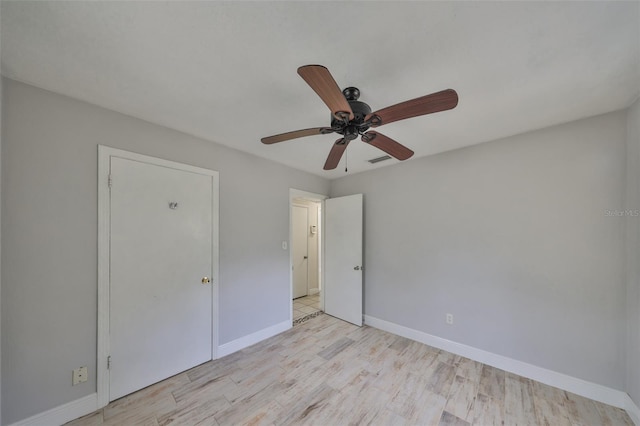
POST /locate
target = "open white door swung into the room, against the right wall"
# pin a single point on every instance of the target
(343, 258)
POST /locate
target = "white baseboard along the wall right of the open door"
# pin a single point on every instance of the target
(552, 378)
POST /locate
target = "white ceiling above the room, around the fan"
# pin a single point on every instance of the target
(226, 71)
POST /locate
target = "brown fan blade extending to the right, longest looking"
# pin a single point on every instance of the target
(435, 102)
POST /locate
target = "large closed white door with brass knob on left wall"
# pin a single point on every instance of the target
(161, 251)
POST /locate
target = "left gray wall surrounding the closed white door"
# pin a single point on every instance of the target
(49, 236)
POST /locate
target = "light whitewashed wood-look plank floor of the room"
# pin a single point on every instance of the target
(328, 372)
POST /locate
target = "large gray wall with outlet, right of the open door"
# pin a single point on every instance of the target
(511, 237)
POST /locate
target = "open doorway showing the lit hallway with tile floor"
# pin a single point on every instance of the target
(306, 255)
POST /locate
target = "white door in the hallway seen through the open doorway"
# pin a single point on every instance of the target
(299, 252)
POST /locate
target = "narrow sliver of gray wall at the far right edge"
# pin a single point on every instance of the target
(633, 253)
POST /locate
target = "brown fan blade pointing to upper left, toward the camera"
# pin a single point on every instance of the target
(321, 81)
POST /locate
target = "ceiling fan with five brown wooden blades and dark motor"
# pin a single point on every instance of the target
(352, 118)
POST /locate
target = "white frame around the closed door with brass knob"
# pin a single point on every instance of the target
(104, 230)
